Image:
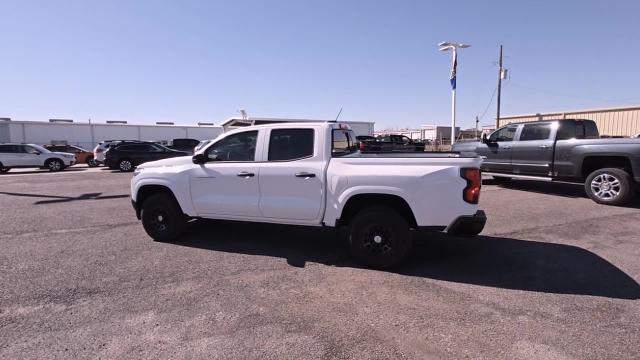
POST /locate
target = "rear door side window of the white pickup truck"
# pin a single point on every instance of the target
(290, 144)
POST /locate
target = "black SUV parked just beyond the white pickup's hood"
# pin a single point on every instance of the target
(127, 155)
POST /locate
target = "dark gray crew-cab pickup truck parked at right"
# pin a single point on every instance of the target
(569, 150)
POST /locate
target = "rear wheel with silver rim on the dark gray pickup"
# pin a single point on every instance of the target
(609, 186)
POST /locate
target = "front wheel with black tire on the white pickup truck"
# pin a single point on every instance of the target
(162, 218)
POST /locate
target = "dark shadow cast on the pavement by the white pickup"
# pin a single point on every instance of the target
(486, 260)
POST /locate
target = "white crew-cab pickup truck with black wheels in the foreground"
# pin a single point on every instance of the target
(312, 174)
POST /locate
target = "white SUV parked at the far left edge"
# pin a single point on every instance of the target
(32, 156)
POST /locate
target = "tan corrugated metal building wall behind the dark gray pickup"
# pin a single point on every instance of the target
(611, 122)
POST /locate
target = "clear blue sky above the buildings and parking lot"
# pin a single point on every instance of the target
(189, 61)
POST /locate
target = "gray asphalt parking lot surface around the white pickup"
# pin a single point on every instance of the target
(554, 276)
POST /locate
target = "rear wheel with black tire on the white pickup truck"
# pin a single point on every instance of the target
(379, 237)
